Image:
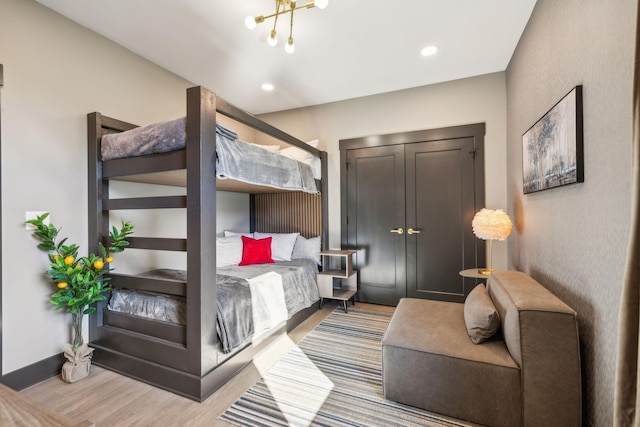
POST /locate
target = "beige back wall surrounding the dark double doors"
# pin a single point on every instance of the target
(459, 102)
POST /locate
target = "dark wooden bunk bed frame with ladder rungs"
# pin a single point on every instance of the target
(187, 357)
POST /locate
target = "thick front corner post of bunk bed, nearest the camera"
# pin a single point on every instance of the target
(201, 230)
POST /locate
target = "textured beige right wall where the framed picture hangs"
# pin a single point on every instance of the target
(573, 239)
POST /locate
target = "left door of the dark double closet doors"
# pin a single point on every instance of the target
(376, 204)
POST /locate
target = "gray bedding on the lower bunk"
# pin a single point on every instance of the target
(234, 319)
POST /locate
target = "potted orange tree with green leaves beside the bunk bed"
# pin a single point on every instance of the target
(80, 283)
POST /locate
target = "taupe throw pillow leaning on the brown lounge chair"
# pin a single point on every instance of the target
(480, 315)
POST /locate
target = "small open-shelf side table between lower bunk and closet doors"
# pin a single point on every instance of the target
(332, 262)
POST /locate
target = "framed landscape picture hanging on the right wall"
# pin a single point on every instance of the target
(552, 149)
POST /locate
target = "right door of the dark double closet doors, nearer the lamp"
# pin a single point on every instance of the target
(440, 195)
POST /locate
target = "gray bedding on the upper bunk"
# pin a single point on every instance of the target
(235, 159)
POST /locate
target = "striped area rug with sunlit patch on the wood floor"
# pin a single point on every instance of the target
(332, 378)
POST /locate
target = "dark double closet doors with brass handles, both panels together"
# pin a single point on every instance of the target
(407, 204)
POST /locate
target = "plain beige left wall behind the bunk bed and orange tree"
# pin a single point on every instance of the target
(55, 72)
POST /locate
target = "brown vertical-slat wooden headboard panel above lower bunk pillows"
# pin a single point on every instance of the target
(289, 213)
